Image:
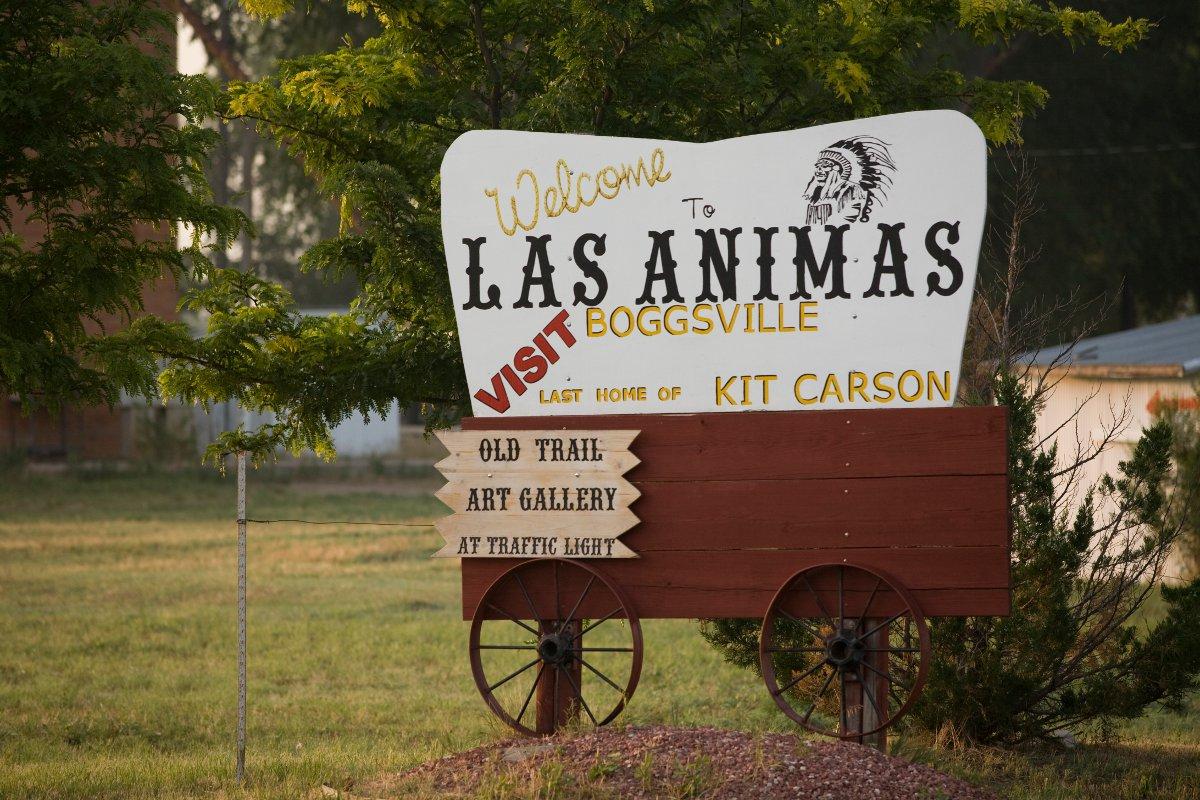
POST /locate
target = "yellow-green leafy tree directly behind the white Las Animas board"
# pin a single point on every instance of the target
(371, 123)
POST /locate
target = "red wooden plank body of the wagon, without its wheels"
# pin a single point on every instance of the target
(734, 504)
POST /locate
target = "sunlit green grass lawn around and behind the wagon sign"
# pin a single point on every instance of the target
(118, 653)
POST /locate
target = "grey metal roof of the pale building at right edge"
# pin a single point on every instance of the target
(1165, 351)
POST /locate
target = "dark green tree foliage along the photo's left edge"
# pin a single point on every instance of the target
(100, 159)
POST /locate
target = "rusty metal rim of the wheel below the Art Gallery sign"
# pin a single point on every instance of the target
(626, 611)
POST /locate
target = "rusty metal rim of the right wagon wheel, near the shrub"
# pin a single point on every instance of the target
(767, 664)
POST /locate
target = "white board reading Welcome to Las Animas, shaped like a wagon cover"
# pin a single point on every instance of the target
(830, 268)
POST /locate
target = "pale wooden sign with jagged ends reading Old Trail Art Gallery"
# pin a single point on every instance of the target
(537, 494)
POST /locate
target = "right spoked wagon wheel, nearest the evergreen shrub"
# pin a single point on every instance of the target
(844, 651)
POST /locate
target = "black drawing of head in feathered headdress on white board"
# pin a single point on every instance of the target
(851, 177)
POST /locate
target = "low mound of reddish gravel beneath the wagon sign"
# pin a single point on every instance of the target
(659, 762)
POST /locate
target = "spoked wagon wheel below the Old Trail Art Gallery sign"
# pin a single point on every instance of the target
(529, 653)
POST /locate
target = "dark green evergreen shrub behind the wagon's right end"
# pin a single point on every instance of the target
(1070, 654)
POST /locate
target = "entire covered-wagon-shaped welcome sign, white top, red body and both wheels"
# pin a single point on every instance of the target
(615, 300)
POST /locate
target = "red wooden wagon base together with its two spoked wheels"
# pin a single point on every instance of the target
(841, 531)
